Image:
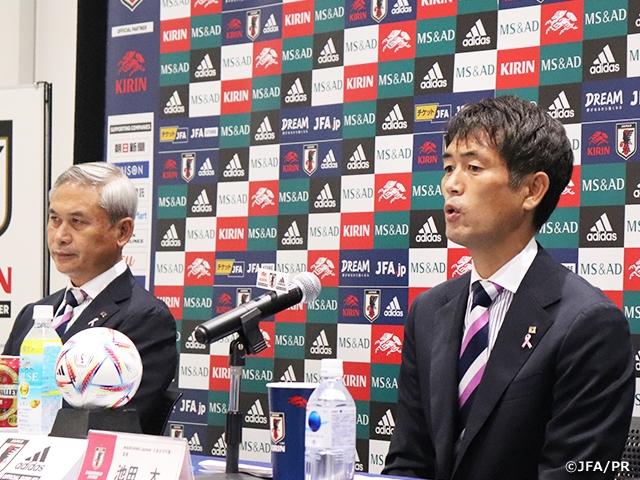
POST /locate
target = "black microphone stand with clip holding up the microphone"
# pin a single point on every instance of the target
(250, 341)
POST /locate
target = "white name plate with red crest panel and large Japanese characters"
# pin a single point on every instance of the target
(113, 455)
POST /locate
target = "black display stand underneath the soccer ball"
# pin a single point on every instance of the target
(72, 423)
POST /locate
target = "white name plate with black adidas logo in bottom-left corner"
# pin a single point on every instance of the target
(38, 457)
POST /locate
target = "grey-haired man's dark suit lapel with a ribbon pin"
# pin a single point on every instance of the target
(104, 306)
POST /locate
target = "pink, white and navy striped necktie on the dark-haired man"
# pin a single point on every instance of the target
(474, 350)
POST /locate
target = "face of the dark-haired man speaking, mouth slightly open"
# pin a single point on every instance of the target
(481, 211)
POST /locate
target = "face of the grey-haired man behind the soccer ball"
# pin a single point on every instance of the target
(81, 242)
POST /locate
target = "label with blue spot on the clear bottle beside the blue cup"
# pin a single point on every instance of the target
(330, 427)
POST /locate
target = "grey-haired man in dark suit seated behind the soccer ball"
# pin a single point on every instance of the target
(91, 213)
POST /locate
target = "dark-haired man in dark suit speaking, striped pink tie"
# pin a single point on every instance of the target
(518, 368)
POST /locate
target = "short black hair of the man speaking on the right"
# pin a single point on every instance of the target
(525, 136)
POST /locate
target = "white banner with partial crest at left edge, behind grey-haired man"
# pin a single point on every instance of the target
(23, 167)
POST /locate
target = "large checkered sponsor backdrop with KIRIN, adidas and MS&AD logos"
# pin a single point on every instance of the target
(308, 136)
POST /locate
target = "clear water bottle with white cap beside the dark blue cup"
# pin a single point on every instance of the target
(330, 428)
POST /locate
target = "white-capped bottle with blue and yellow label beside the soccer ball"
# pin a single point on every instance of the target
(39, 397)
